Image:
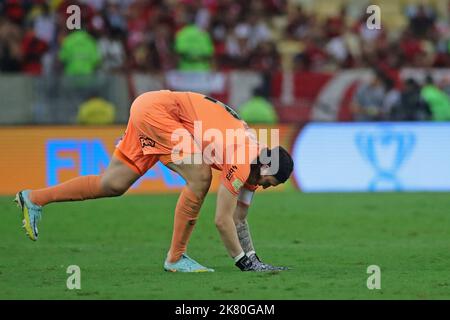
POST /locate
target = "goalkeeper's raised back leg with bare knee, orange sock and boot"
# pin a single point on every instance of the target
(116, 179)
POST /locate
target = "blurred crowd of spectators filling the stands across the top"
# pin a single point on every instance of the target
(259, 35)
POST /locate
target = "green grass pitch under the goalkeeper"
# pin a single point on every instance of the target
(329, 240)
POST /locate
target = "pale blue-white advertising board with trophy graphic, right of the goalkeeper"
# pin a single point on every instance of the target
(346, 157)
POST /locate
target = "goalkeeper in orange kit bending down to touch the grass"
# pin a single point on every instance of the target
(158, 121)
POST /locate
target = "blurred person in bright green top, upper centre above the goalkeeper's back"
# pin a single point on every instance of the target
(194, 48)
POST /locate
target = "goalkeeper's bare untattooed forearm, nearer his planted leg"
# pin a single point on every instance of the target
(226, 205)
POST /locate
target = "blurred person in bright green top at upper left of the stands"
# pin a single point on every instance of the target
(79, 53)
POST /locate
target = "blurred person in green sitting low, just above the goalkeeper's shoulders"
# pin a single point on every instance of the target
(258, 109)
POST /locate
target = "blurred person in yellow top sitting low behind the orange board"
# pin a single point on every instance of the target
(96, 111)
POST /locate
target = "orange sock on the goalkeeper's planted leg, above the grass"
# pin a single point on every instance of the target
(186, 214)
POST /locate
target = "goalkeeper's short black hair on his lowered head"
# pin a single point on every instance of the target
(285, 163)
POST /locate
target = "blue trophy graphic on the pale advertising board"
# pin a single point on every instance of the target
(386, 151)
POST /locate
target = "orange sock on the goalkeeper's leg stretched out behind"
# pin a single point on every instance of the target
(80, 188)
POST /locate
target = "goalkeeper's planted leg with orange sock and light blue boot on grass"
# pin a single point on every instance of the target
(198, 181)
